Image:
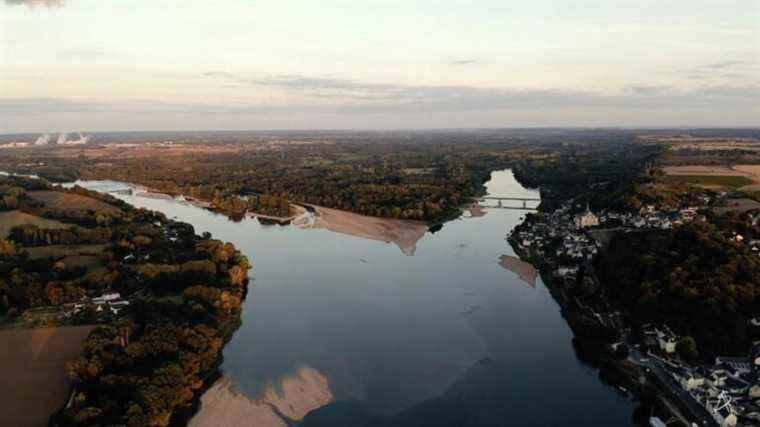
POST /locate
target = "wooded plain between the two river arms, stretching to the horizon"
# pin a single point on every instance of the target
(393, 176)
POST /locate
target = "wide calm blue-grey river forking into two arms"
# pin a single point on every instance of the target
(358, 328)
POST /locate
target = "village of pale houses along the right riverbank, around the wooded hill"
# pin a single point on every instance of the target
(725, 393)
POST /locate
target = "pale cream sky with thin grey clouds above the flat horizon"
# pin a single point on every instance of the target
(117, 65)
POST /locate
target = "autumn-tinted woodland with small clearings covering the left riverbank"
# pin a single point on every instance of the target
(148, 362)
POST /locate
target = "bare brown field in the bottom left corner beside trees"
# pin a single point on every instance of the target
(32, 372)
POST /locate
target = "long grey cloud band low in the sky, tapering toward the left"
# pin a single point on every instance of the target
(367, 97)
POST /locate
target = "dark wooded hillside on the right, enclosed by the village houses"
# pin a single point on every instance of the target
(693, 278)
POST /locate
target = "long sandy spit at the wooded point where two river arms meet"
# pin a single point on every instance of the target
(403, 233)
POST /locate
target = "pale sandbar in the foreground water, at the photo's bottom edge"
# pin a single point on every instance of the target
(294, 397)
